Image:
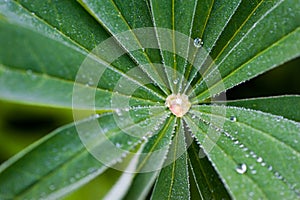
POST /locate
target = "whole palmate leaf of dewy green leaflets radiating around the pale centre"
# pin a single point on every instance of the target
(253, 151)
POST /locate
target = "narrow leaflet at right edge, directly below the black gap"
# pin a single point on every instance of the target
(287, 106)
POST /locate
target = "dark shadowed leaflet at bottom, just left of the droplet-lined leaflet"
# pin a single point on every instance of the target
(208, 183)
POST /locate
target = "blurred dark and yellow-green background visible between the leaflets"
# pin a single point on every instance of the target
(21, 125)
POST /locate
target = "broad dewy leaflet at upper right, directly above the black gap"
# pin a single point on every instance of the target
(239, 64)
